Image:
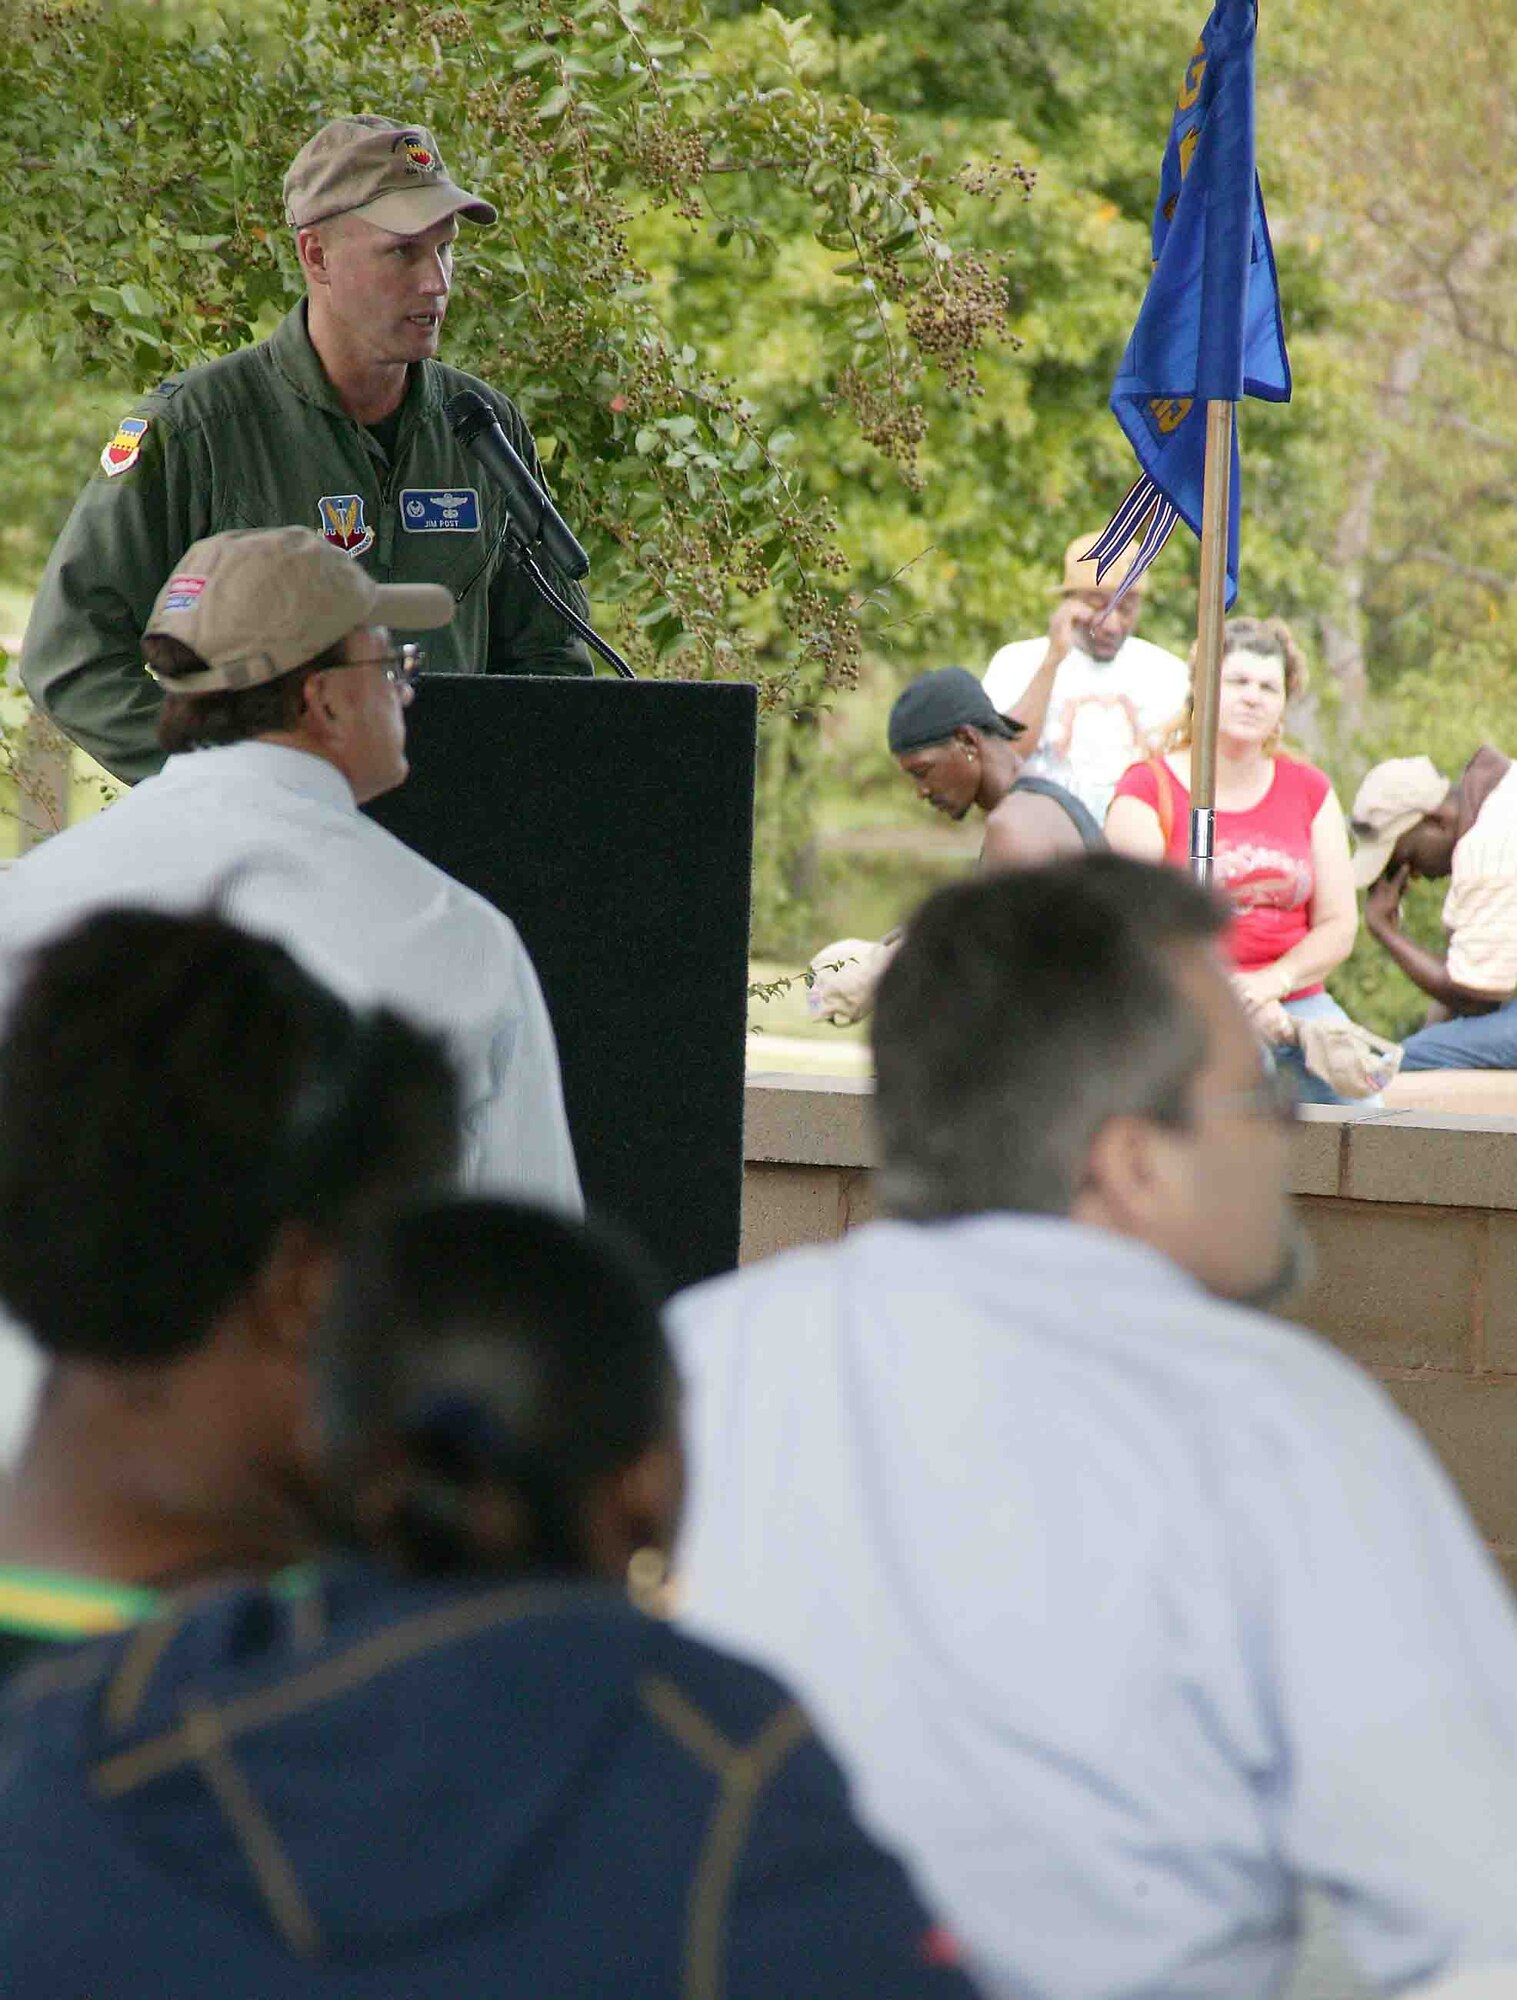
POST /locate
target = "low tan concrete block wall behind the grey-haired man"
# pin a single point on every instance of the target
(1412, 1219)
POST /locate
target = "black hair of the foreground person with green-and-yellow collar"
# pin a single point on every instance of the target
(173, 1095)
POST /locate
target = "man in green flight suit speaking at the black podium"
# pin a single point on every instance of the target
(333, 423)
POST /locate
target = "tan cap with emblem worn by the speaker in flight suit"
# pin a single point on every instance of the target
(387, 173)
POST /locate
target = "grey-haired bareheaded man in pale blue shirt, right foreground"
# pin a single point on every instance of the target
(1132, 1611)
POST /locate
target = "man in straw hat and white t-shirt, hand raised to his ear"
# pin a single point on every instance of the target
(1090, 695)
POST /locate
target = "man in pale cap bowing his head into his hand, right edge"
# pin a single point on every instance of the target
(1408, 823)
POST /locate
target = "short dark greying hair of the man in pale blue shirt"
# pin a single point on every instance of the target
(1020, 1017)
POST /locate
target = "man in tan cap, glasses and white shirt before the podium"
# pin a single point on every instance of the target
(285, 711)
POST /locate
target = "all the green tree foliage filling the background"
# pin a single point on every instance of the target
(751, 291)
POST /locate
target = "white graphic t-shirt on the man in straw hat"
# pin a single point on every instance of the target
(1104, 715)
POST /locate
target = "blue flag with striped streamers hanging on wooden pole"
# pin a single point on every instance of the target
(1210, 329)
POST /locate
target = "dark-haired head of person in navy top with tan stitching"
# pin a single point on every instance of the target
(495, 1391)
